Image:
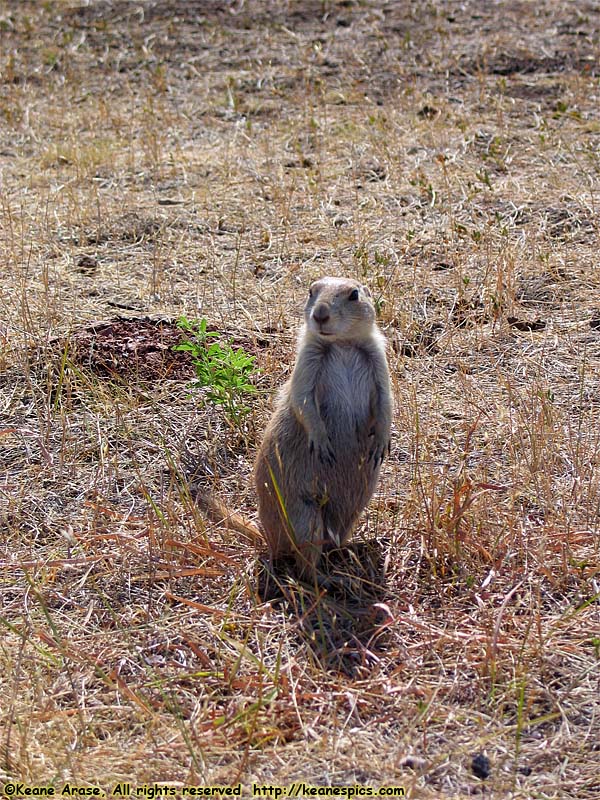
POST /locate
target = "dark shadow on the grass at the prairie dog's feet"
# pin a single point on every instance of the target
(336, 613)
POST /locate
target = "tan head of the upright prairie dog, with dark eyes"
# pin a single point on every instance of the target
(339, 309)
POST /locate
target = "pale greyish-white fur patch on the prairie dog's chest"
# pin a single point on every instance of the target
(345, 382)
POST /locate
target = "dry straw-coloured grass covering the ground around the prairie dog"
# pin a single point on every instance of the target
(213, 158)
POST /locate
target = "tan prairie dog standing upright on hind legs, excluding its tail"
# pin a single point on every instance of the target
(321, 453)
